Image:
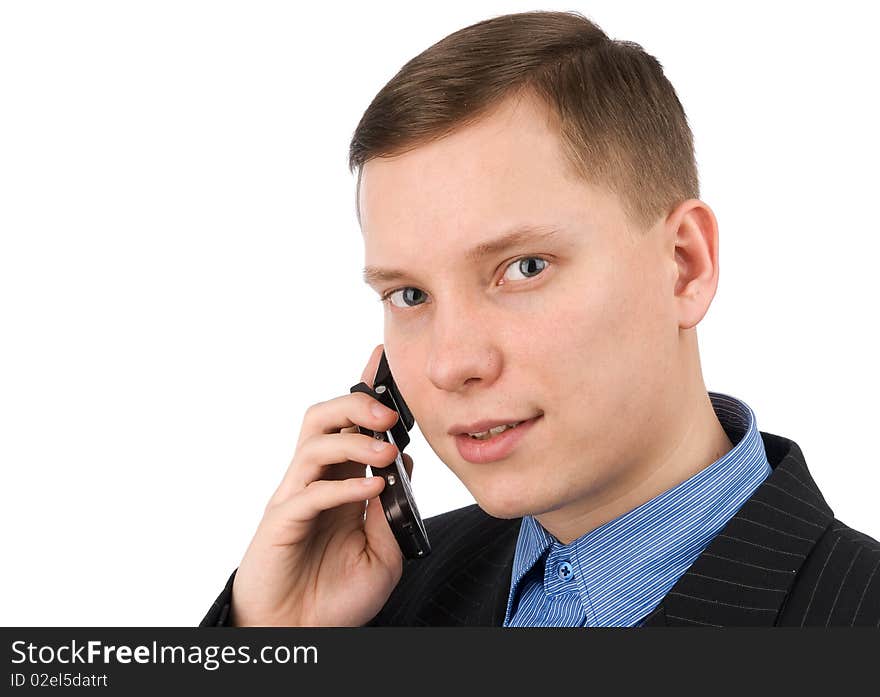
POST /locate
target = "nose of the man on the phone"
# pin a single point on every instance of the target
(464, 348)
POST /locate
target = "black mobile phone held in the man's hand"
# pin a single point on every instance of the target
(396, 498)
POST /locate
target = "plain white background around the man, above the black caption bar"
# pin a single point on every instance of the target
(180, 260)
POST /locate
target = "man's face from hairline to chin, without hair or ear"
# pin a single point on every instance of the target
(575, 330)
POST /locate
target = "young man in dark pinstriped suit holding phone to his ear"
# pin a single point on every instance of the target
(529, 203)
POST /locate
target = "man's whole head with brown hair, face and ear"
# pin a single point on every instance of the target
(586, 323)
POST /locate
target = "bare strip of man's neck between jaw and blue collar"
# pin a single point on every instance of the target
(702, 442)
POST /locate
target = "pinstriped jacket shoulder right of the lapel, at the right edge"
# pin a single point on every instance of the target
(839, 583)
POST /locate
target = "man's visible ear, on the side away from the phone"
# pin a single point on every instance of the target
(693, 234)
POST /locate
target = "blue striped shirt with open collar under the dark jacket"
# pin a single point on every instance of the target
(617, 574)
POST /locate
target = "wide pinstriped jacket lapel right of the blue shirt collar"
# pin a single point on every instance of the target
(743, 576)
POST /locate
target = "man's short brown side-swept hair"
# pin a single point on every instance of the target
(620, 122)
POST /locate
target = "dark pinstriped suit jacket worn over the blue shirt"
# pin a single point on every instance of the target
(782, 560)
